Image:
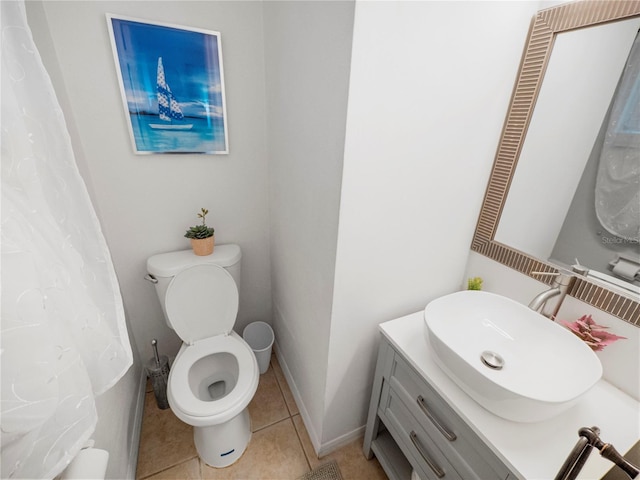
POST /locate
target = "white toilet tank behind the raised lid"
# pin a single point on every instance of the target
(164, 266)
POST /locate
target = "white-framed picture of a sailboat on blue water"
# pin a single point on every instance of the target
(172, 84)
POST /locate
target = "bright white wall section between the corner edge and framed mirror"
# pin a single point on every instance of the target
(429, 88)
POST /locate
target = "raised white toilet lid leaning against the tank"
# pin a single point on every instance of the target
(202, 301)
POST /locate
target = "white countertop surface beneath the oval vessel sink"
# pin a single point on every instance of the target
(533, 451)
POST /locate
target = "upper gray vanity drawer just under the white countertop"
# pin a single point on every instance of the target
(464, 449)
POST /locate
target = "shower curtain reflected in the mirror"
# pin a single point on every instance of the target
(618, 177)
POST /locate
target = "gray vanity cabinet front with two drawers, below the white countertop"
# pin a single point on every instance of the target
(410, 426)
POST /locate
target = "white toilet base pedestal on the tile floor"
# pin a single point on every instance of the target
(221, 445)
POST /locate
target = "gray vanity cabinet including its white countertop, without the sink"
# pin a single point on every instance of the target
(419, 419)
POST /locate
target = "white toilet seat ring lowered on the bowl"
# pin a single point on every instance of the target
(183, 400)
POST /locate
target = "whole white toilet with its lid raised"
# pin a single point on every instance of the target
(215, 374)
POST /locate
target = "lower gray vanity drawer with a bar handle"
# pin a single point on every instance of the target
(426, 458)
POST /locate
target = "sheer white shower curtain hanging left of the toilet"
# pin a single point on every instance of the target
(63, 333)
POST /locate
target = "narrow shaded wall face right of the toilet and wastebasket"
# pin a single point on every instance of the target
(307, 53)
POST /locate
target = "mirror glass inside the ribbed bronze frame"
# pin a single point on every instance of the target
(575, 195)
